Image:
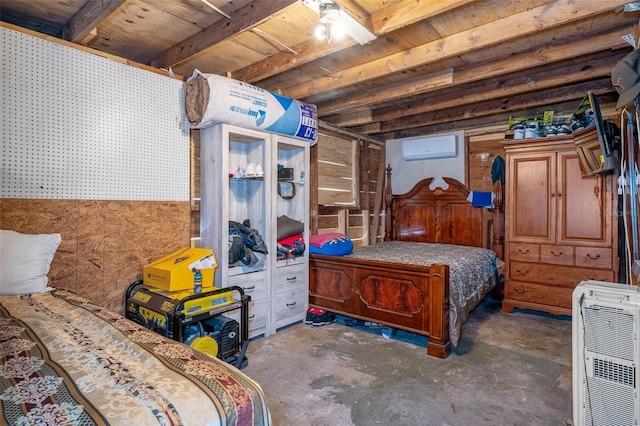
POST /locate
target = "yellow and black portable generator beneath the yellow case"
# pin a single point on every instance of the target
(195, 319)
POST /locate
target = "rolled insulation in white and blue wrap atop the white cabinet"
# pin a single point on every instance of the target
(212, 99)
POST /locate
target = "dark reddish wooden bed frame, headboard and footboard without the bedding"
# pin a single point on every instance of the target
(416, 298)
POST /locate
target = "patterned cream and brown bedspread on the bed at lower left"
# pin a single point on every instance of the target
(67, 361)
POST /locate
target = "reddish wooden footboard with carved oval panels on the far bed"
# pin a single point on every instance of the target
(411, 298)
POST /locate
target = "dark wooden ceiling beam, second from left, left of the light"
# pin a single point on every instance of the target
(247, 18)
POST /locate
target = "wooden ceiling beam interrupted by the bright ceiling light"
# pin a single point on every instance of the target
(389, 19)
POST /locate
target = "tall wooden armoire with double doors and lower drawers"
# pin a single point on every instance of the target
(561, 227)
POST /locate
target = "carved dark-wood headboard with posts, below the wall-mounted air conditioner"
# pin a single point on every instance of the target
(444, 216)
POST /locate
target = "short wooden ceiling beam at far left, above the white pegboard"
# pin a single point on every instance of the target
(79, 28)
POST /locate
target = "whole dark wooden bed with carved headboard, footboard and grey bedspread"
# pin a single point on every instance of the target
(396, 285)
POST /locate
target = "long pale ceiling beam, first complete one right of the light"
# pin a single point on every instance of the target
(502, 30)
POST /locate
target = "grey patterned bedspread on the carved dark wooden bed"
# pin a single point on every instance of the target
(472, 272)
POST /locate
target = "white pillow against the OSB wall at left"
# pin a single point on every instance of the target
(25, 260)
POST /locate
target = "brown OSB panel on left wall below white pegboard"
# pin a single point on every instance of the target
(105, 244)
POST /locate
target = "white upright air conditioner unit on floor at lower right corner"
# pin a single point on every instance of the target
(606, 354)
